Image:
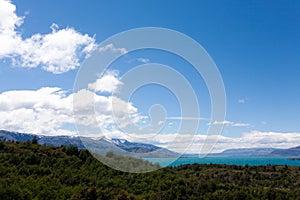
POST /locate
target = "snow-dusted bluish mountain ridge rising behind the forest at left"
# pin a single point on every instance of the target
(100, 146)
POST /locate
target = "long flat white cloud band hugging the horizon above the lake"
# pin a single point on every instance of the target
(253, 139)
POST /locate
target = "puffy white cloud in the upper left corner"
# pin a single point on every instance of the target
(58, 51)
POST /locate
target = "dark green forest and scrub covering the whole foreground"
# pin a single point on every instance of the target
(31, 171)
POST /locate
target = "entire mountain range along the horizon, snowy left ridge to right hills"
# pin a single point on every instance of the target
(124, 147)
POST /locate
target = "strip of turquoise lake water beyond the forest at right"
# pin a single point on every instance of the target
(251, 161)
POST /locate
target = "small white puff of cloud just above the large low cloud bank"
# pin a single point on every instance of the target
(109, 82)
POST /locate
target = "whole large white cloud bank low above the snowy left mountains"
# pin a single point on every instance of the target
(48, 110)
